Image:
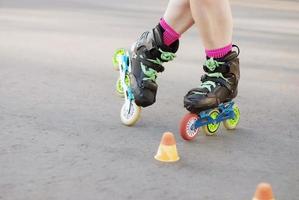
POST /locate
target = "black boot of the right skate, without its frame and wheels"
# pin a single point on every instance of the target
(219, 84)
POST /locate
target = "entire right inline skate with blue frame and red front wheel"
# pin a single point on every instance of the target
(211, 103)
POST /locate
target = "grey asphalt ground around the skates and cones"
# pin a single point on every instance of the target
(60, 132)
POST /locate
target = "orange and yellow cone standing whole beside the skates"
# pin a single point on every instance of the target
(167, 151)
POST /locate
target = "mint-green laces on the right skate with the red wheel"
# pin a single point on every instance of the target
(211, 64)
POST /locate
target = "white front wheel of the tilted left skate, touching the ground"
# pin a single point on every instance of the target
(130, 113)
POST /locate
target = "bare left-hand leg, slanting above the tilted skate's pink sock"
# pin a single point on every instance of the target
(178, 15)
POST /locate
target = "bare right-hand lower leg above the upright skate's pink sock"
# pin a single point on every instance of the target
(213, 20)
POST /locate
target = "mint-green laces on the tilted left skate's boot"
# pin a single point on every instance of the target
(150, 73)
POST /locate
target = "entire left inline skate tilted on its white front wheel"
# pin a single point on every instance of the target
(138, 72)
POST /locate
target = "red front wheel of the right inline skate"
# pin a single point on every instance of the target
(186, 127)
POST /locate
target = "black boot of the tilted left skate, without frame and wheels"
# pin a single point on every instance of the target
(147, 56)
